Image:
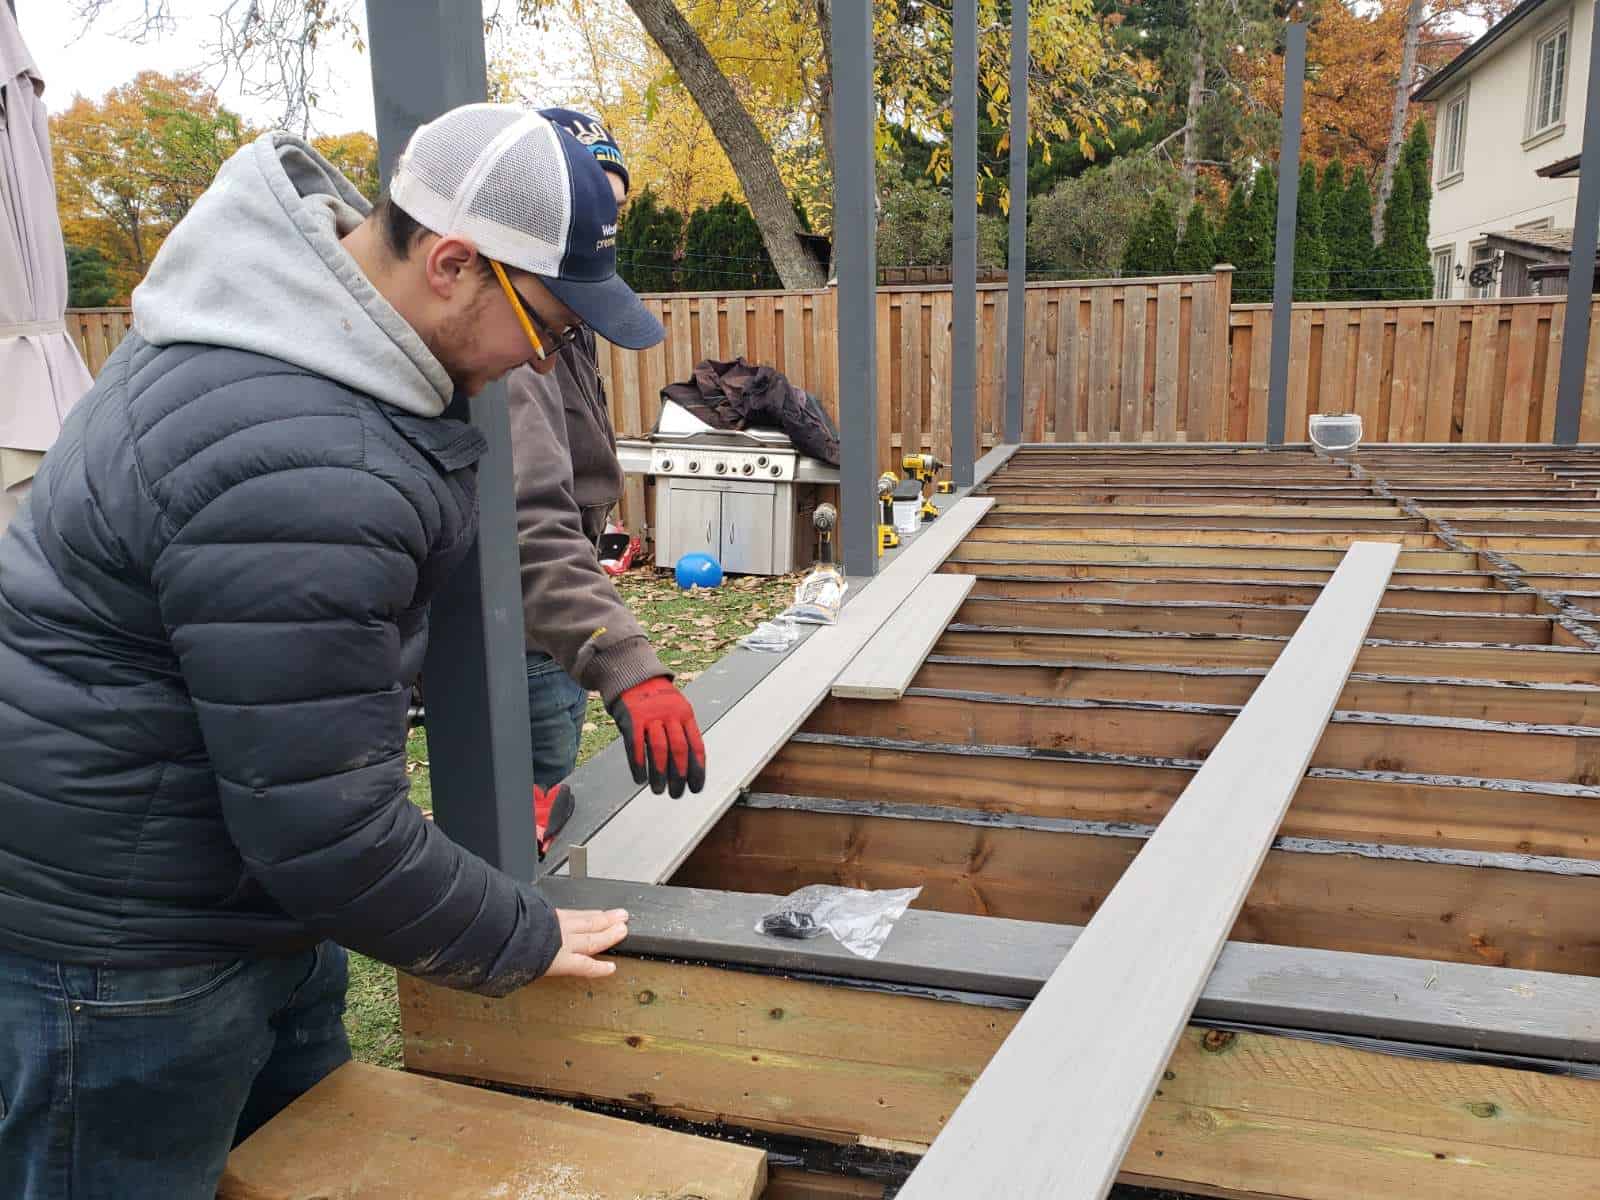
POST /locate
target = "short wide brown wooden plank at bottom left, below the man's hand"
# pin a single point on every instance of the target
(366, 1134)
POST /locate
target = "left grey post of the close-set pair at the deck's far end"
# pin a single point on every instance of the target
(964, 250)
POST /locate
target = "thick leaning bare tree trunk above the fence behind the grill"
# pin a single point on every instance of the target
(742, 142)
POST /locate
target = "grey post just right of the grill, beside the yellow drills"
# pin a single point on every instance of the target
(855, 252)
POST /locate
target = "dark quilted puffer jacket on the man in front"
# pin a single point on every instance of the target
(209, 622)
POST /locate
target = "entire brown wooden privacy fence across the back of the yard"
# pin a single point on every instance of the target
(1114, 361)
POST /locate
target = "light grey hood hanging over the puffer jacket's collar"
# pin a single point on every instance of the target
(257, 265)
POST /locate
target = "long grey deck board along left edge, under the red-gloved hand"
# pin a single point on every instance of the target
(652, 834)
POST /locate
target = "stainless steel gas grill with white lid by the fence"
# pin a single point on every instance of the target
(745, 498)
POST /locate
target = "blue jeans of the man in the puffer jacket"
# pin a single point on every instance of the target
(135, 1084)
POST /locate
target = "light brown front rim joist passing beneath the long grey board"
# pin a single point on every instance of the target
(847, 1063)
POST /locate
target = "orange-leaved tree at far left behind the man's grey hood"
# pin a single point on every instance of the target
(130, 167)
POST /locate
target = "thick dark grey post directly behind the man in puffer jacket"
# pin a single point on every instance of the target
(428, 58)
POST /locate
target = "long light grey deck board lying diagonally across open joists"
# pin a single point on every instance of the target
(1132, 980)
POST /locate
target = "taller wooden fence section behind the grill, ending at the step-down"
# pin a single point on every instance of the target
(1106, 359)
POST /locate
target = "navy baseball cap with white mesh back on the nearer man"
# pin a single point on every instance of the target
(527, 194)
